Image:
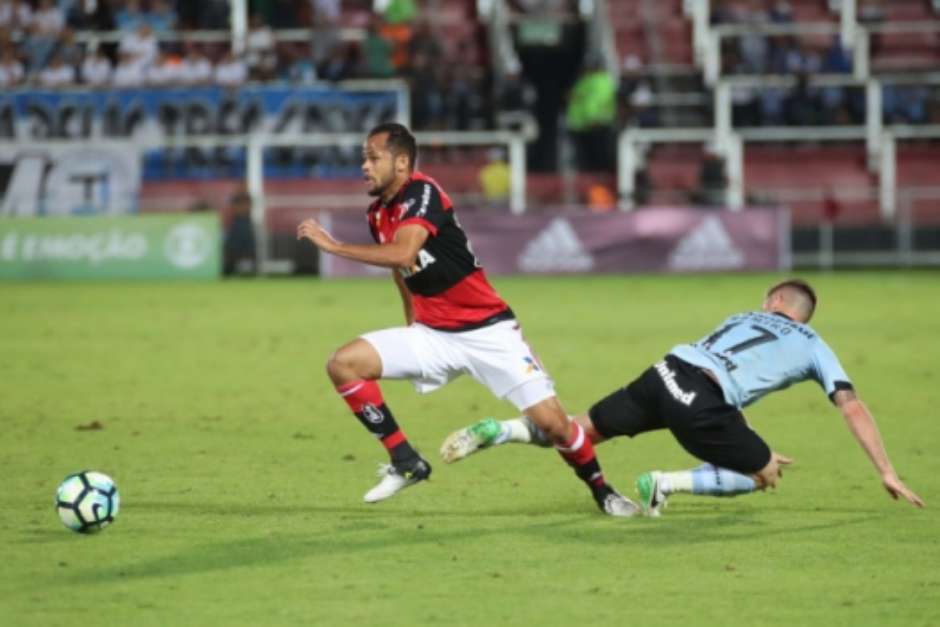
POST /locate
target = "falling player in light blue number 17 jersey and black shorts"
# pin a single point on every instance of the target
(697, 392)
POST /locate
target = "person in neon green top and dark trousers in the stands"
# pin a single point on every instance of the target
(591, 118)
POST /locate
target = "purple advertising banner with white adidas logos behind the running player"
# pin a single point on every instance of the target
(571, 242)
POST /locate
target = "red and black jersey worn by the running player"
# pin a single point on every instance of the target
(449, 289)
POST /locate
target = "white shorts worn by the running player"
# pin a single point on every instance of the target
(497, 356)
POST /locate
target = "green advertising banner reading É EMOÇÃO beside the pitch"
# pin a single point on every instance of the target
(135, 247)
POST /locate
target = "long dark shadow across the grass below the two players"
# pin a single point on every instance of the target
(696, 525)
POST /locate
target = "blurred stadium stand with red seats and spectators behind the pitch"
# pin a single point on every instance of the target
(784, 51)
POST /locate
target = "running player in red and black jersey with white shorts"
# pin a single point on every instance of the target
(456, 322)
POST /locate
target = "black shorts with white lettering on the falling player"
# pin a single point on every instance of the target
(678, 396)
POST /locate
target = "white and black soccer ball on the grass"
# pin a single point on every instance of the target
(87, 501)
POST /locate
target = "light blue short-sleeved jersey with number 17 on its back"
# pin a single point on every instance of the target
(756, 353)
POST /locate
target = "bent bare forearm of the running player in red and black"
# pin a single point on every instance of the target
(401, 252)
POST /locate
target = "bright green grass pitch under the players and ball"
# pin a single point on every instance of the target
(242, 473)
